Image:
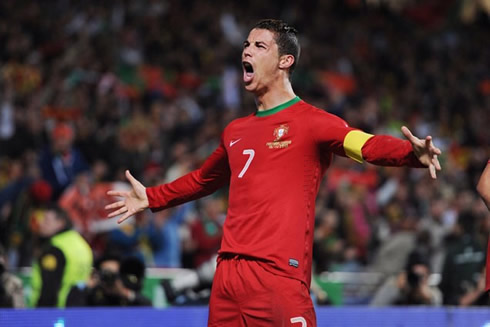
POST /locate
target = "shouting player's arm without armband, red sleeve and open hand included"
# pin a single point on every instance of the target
(213, 174)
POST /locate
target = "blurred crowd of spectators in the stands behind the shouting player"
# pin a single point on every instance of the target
(89, 89)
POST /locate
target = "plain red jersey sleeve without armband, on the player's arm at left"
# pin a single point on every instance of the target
(213, 174)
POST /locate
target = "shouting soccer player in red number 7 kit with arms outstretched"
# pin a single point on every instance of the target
(273, 161)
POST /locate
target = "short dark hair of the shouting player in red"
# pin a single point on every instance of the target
(285, 37)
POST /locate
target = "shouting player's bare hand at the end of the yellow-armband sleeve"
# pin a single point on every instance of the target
(425, 151)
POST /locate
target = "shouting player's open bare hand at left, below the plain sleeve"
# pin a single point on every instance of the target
(133, 201)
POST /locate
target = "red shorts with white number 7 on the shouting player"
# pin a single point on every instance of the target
(245, 294)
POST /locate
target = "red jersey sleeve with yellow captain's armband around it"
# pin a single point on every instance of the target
(338, 137)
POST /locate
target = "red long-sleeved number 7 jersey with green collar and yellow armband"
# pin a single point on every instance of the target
(274, 161)
